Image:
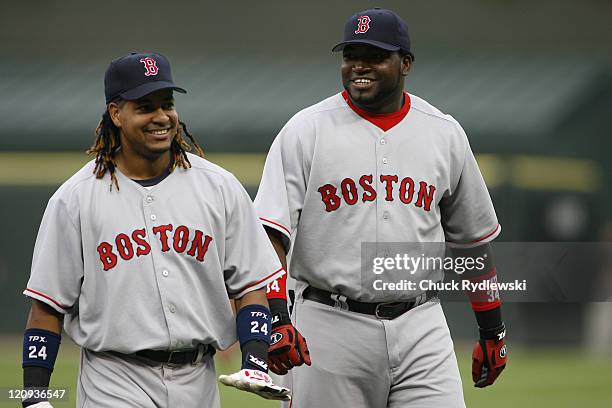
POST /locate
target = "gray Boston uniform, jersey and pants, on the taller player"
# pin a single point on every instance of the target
(334, 180)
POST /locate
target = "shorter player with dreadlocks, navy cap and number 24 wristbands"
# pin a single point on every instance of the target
(138, 255)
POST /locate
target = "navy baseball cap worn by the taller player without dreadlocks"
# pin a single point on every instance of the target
(378, 27)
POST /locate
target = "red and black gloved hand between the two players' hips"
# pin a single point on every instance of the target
(288, 349)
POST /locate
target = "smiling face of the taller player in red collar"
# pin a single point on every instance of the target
(373, 77)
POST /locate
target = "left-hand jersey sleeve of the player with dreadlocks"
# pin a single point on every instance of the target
(57, 263)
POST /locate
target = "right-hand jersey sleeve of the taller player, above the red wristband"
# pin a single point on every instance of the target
(468, 216)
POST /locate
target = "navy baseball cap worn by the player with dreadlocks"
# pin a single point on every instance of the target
(137, 74)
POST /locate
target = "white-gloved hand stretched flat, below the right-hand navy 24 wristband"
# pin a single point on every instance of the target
(256, 382)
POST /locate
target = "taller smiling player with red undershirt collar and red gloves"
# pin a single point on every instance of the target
(377, 164)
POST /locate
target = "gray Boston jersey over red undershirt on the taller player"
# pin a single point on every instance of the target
(333, 180)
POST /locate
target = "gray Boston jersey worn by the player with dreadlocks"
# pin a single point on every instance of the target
(140, 268)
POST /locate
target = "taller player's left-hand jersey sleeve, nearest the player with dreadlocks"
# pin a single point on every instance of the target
(282, 189)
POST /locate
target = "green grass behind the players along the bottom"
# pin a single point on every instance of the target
(535, 377)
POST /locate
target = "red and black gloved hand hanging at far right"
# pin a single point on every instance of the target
(489, 356)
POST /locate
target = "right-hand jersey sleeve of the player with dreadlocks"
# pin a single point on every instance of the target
(250, 260)
